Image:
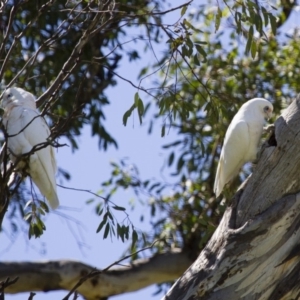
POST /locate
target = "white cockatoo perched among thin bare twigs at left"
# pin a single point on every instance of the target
(26, 128)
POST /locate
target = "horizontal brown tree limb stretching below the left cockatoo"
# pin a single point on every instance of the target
(63, 275)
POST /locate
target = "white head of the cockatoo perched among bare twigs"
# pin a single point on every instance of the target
(17, 97)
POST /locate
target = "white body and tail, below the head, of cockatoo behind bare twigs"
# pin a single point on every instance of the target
(26, 128)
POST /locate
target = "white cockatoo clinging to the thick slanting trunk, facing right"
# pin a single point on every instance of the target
(241, 140)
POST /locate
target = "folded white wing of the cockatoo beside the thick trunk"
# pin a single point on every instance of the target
(236, 143)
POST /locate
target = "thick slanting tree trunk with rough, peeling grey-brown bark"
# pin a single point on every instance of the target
(255, 251)
